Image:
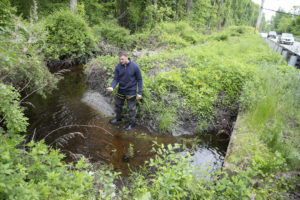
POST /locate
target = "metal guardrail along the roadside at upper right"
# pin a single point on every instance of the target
(290, 56)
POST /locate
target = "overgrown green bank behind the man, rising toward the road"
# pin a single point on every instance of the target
(196, 85)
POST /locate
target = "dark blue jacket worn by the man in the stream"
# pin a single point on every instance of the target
(128, 76)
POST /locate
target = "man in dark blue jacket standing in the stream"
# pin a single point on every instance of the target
(128, 75)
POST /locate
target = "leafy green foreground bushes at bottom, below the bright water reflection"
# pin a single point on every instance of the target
(171, 175)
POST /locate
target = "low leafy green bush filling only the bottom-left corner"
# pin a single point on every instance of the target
(39, 173)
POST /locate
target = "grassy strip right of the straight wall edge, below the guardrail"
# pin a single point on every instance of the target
(267, 134)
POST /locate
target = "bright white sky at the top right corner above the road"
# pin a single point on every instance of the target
(287, 5)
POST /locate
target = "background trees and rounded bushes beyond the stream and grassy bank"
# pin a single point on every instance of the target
(72, 37)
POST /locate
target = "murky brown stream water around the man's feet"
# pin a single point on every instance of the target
(64, 121)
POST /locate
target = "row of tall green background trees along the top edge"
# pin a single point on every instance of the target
(141, 14)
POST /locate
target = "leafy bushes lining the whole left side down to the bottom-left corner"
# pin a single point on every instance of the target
(33, 170)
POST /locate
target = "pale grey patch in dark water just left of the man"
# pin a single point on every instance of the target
(99, 103)
